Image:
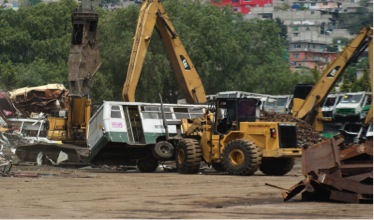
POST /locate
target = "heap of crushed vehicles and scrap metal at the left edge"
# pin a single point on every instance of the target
(24, 125)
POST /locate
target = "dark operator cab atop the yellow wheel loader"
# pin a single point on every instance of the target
(231, 111)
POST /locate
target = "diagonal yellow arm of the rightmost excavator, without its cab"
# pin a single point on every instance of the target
(308, 109)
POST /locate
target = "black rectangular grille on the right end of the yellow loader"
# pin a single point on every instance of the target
(287, 135)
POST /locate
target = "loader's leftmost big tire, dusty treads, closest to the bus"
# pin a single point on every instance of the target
(188, 156)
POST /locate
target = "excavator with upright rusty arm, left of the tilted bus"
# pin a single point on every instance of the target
(69, 126)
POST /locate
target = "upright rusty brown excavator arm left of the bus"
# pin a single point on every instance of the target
(84, 62)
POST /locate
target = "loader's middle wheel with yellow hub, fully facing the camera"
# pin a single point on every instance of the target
(241, 157)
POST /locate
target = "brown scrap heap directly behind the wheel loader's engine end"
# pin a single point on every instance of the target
(305, 132)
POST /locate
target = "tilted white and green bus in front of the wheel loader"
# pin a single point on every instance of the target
(136, 133)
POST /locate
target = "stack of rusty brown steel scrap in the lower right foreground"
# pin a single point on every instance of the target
(336, 172)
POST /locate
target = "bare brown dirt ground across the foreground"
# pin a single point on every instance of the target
(60, 192)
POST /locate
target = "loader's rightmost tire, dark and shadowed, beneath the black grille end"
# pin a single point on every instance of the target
(277, 166)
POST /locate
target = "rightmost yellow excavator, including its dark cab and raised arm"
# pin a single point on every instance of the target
(307, 104)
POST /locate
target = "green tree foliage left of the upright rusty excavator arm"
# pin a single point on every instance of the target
(35, 43)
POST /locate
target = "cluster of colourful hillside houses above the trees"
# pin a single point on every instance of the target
(311, 26)
